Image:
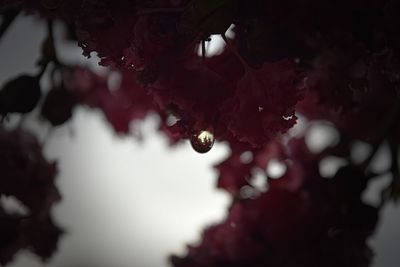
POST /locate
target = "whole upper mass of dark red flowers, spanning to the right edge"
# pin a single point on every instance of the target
(256, 77)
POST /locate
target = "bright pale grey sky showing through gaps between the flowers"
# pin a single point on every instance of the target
(129, 203)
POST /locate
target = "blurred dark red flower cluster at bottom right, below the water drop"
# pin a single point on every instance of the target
(301, 220)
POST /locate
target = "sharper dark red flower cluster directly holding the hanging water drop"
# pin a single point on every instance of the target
(156, 42)
